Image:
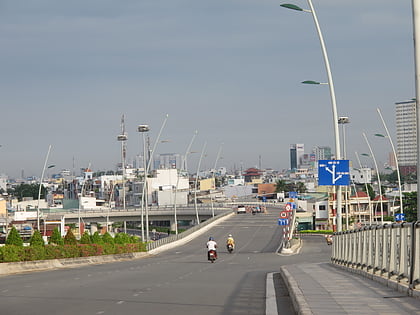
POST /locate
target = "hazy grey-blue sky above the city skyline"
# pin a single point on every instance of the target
(230, 69)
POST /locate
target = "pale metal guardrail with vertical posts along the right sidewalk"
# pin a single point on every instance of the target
(388, 253)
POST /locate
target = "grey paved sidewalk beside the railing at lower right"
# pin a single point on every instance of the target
(322, 289)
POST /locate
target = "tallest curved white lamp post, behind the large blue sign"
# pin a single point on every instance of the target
(332, 95)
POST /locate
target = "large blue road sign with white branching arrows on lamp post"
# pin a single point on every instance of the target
(333, 172)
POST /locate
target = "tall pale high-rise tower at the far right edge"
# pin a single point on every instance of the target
(405, 113)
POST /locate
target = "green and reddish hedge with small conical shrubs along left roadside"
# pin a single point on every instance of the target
(68, 246)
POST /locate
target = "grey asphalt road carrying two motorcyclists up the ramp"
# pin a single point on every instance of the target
(177, 281)
